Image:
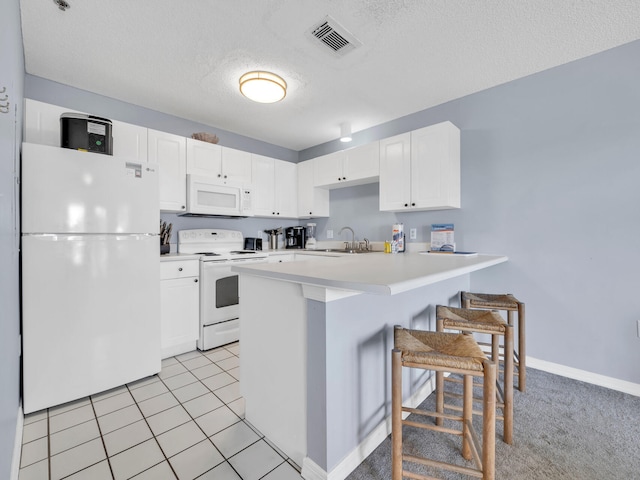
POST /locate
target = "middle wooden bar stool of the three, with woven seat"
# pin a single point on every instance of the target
(486, 322)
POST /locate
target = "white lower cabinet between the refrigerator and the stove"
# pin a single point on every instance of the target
(179, 305)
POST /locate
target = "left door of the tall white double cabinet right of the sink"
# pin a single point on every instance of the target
(395, 172)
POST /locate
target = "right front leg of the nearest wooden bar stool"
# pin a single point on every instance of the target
(489, 421)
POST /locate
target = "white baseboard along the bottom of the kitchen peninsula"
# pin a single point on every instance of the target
(311, 470)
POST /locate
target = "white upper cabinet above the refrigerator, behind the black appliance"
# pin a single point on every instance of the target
(42, 126)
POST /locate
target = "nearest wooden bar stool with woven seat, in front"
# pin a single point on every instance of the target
(444, 352)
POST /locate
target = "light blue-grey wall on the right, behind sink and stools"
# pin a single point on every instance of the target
(550, 177)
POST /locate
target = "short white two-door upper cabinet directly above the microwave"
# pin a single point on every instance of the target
(225, 165)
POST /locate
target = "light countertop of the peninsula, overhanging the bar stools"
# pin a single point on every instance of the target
(378, 273)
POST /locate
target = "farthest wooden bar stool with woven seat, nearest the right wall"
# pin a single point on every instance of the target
(510, 304)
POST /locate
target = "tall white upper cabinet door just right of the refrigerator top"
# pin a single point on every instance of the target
(170, 153)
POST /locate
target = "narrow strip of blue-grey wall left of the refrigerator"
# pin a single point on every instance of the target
(11, 78)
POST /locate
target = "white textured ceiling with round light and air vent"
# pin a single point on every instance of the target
(185, 58)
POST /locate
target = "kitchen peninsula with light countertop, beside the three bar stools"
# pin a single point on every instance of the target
(315, 338)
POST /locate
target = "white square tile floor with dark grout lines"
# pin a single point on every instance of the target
(186, 422)
